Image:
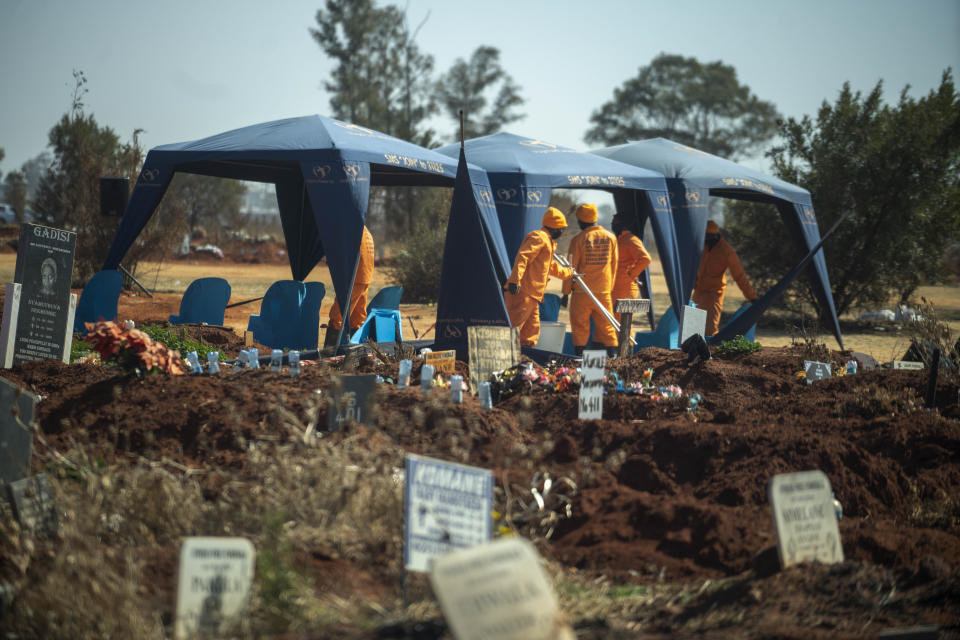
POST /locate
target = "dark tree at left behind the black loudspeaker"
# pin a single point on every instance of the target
(69, 193)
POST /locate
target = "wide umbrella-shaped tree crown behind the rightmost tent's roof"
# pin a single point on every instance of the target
(701, 105)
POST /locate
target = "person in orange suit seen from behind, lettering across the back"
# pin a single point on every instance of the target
(594, 255)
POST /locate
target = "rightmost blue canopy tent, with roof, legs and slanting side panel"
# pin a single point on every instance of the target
(693, 176)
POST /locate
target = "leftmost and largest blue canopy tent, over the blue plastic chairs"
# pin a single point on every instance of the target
(322, 170)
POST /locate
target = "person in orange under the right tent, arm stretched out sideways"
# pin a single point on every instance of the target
(711, 284)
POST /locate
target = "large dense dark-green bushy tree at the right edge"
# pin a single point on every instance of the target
(895, 168)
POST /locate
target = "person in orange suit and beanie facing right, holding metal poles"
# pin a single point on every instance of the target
(532, 268)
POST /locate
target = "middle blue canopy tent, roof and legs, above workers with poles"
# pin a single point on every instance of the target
(522, 172)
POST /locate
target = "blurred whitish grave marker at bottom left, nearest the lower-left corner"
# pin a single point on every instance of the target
(213, 585)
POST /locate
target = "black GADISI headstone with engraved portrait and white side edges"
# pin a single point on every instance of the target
(39, 307)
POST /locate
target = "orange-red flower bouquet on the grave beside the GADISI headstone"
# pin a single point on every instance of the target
(132, 350)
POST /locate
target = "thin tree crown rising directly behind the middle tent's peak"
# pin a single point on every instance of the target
(483, 90)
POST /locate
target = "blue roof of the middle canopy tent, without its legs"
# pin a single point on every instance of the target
(543, 164)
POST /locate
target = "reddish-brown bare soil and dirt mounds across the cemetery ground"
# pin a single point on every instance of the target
(670, 513)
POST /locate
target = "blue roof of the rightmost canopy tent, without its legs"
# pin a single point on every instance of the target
(703, 170)
